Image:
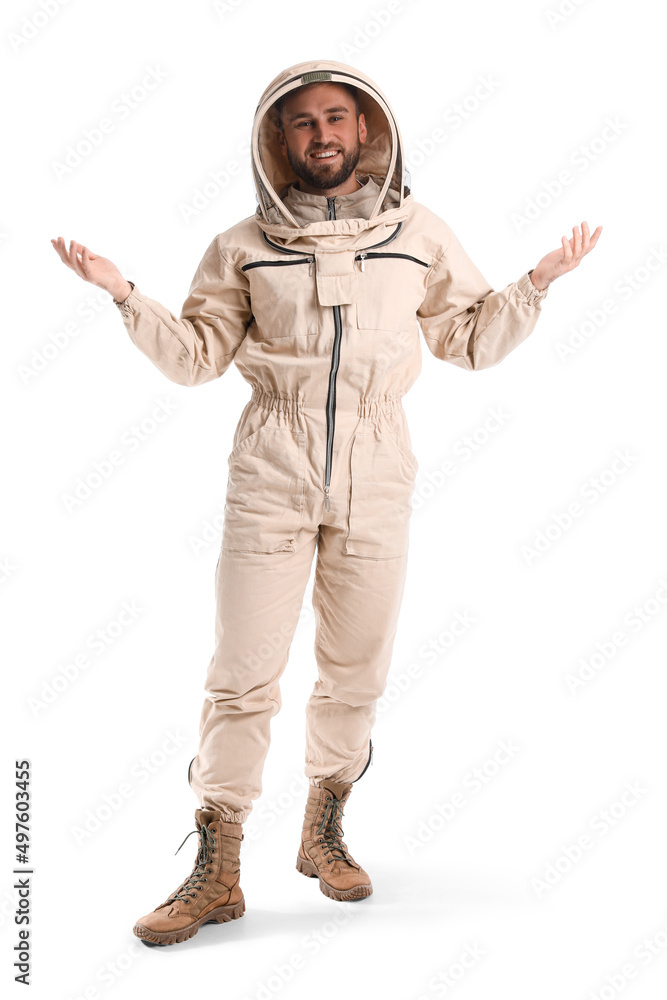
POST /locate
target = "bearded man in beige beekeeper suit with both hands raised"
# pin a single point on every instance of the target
(318, 298)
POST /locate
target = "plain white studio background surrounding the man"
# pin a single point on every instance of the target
(472, 884)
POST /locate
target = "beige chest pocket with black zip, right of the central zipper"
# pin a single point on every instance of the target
(391, 288)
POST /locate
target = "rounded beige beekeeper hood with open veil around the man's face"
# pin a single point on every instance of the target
(381, 158)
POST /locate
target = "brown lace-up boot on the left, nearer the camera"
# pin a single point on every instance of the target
(211, 894)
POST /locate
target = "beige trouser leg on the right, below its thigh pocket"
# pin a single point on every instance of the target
(356, 602)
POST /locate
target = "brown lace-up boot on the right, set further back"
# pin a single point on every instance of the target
(323, 853)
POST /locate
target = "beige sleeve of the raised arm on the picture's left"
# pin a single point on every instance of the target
(201, 344)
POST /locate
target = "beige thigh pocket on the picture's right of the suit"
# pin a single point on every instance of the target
(382, 479)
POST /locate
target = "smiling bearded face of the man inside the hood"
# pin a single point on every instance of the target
(322, 137)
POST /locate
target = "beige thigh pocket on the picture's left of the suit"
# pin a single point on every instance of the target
(265, 491)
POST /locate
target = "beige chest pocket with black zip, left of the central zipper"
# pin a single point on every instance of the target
(282, 296)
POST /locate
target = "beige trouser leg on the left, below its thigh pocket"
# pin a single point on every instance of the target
(259, 599)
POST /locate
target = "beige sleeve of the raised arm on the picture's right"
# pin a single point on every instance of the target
(464, 321)
